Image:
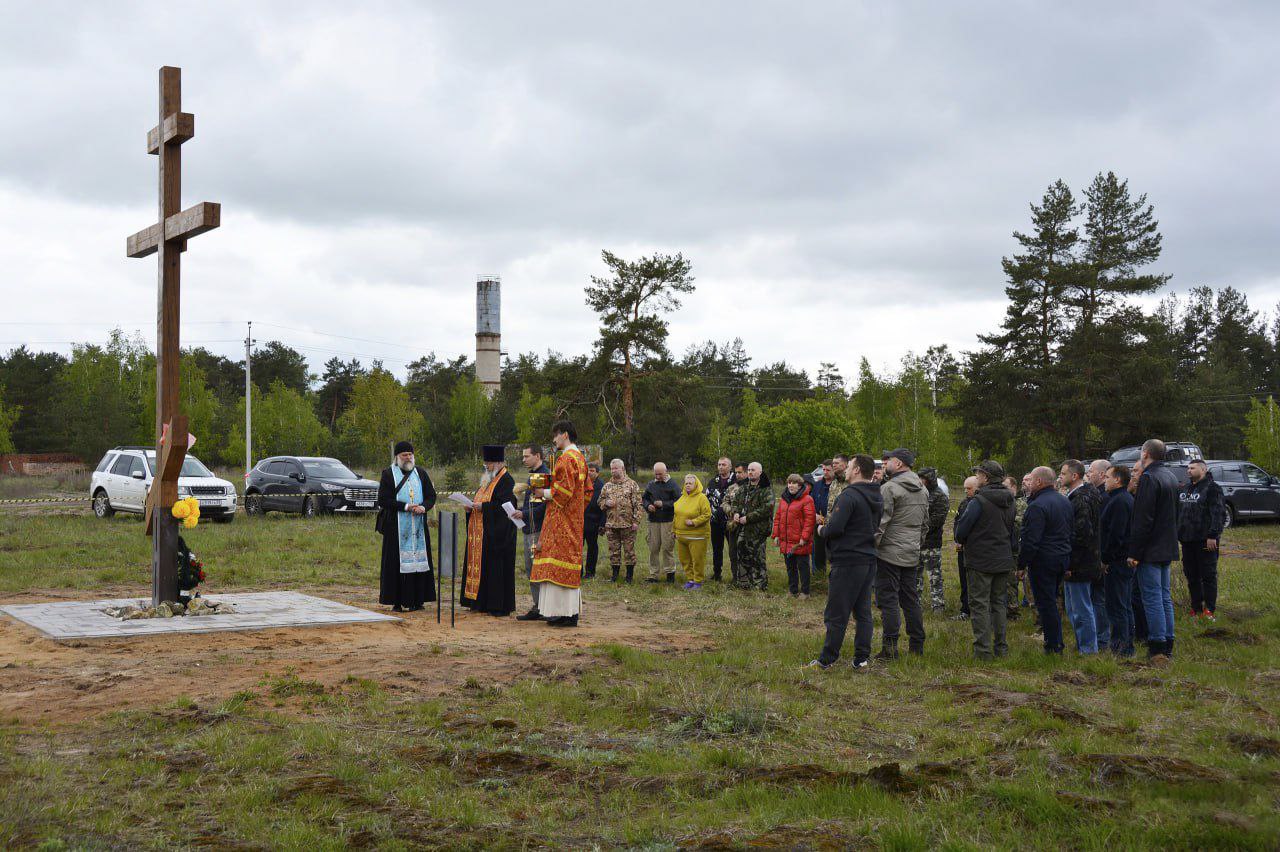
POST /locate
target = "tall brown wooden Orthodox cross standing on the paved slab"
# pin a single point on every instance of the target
(168, 240)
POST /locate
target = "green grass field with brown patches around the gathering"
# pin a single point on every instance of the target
(729, 745)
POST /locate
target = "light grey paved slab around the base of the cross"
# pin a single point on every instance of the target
(254, 611)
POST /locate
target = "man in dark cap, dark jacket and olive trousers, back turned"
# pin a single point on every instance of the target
(986, 530)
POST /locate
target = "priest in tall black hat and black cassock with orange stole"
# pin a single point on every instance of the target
(490, 569)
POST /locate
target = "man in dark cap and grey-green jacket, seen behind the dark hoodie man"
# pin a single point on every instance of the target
(898, 546)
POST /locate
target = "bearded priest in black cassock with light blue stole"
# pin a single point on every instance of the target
(405, 496)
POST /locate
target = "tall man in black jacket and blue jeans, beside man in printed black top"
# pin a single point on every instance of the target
(1154, 544)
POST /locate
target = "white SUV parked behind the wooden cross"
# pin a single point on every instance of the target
(125, 475)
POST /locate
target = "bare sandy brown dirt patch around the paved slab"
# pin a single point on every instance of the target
(47, 681)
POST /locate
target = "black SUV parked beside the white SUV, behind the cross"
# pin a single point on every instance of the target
(307, 485)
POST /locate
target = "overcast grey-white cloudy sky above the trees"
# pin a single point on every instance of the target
(845, 177)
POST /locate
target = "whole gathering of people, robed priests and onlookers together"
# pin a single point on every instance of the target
(1096, 542)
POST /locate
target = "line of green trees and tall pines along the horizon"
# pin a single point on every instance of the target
(1077, 368)
